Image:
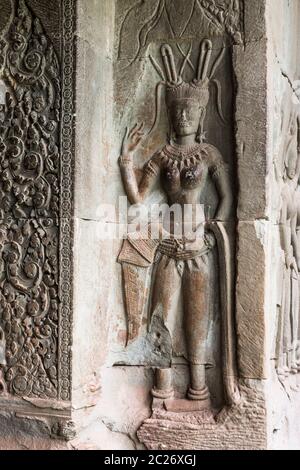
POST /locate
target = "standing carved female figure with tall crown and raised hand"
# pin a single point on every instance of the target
(183, 167)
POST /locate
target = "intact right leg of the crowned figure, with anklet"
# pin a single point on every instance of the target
(196, 322)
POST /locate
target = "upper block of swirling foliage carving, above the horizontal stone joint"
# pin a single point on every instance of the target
(29, 125)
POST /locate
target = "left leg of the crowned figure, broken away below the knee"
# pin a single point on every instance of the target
(165, 292)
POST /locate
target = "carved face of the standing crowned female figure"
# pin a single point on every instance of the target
(185, 116)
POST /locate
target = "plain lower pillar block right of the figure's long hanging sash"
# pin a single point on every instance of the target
(250, 298)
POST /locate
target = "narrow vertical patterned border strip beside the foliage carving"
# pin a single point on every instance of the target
(66, 206)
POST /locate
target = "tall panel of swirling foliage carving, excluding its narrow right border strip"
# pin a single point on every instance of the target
(29, 205)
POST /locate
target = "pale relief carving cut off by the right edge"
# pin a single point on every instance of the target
(288, 337)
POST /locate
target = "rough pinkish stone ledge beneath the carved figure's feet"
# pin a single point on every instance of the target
(239, 427)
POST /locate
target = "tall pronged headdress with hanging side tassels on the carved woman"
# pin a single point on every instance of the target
(196, 90)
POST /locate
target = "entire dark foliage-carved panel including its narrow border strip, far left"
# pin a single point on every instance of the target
(36, 141)
